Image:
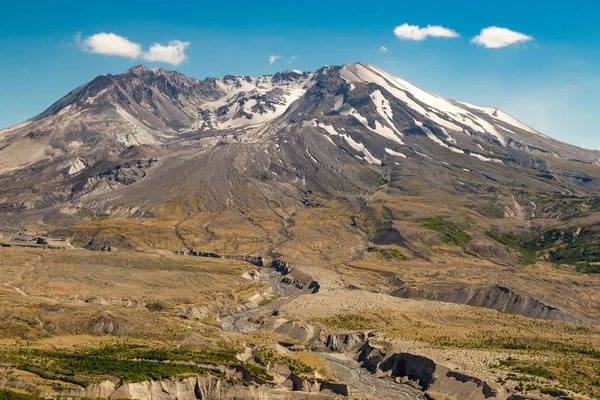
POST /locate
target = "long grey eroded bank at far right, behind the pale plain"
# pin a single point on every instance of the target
(498, 298)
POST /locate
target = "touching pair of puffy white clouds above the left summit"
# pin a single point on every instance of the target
(110, 44)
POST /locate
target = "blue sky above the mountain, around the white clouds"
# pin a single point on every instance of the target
(551, 82)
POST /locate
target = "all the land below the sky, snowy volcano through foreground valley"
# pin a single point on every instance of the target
(305, 235)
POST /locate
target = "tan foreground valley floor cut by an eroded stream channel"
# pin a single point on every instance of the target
(85, 323)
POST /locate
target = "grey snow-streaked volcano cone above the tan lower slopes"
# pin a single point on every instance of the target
(331, 130)
